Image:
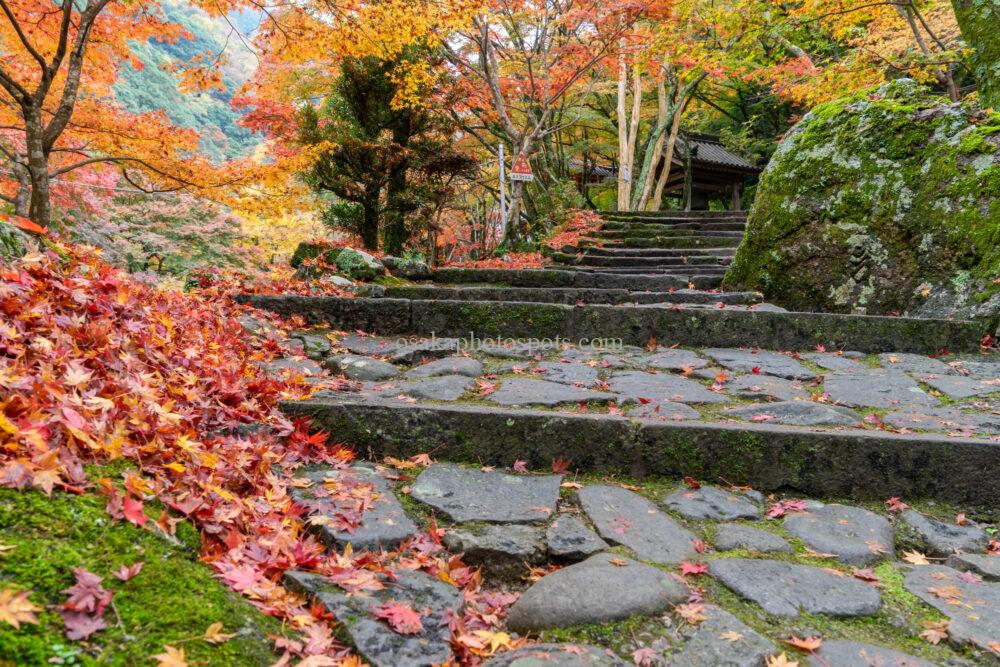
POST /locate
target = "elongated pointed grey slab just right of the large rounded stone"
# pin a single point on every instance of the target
(787, 589)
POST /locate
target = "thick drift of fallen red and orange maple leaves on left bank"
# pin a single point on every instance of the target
(95, 367)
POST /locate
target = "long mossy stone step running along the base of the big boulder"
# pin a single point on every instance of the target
(634, 325)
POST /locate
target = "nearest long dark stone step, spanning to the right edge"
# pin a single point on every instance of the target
(766, 457)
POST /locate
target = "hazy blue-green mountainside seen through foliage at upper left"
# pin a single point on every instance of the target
(152, 89)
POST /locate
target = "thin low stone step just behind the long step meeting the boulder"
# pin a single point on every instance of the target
(571, 295)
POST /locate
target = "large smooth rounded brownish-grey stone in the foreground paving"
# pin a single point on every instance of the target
(601, 589)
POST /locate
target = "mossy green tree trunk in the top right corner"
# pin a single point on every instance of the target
(978, 20)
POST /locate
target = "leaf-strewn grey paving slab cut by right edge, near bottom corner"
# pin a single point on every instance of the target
(974, 608)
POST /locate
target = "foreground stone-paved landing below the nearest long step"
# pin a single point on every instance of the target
(678, 573)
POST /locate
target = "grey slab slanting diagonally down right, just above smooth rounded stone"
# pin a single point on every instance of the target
(626, 518)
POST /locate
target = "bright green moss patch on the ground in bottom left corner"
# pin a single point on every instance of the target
(172, 600)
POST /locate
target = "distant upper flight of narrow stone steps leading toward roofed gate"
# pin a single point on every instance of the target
(685, 244)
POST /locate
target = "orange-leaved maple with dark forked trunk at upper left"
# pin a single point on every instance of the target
(59, 116)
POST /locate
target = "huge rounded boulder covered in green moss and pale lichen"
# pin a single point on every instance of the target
(883, 202)
